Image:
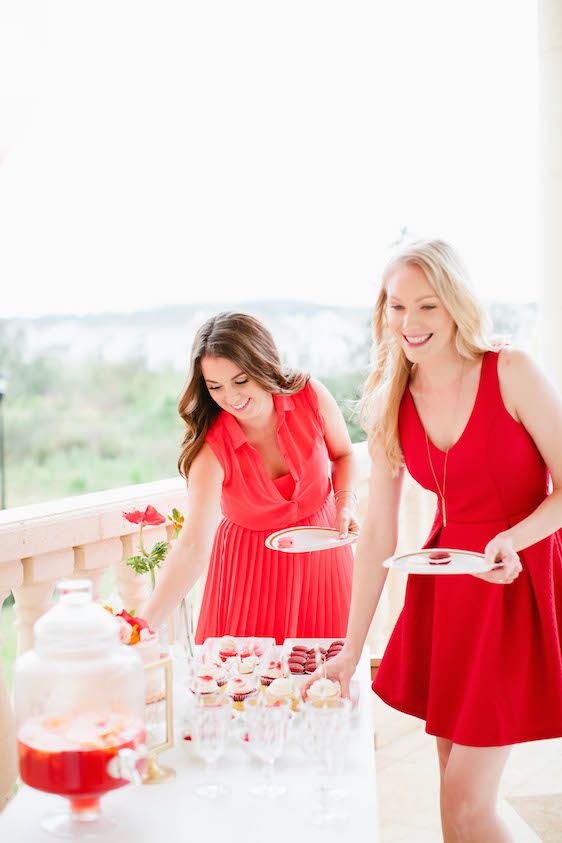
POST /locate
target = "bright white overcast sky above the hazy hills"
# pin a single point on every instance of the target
(174, 152)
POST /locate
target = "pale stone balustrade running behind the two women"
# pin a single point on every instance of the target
(87, 536)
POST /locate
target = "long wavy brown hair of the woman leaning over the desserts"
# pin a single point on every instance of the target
(242, 339)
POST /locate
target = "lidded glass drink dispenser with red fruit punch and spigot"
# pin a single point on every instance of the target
(79, 698)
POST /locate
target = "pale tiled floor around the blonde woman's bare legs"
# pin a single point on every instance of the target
(408, 784)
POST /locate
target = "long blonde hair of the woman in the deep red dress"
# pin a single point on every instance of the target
(384, 388)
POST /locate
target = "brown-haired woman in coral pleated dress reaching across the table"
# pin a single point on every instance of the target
(269, 449)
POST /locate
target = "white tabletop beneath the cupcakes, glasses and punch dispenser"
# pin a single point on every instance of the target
(171, 811)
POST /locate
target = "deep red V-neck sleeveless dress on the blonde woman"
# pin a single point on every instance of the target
(481, 663)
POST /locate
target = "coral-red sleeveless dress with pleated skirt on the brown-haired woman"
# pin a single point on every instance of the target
(250, 589)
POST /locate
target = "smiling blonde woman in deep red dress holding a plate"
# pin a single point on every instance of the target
(479, 657)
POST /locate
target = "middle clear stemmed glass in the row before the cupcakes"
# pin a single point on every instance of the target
(267, 732)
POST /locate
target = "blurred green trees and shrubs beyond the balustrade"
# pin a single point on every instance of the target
(76, 428)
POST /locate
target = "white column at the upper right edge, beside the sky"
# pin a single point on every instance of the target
(550, 298)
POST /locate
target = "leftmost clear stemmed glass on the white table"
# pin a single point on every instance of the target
(210, 723)
